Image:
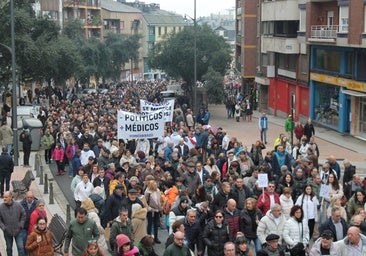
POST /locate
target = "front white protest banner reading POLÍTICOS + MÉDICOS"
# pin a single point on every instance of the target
(140, 126)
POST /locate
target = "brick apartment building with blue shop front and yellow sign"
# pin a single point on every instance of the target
(336, 36)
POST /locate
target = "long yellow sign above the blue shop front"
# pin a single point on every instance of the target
(338, 81)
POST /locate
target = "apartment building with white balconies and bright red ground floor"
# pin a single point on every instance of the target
(282, 61)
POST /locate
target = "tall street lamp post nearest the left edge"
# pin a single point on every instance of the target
(14, 85)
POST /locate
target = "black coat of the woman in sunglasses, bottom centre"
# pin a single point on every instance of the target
(215, 238)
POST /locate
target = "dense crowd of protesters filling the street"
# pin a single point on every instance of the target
(196, 183)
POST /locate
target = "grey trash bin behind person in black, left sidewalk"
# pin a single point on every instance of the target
(35, 127)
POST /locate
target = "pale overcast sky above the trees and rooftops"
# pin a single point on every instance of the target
(203, 7)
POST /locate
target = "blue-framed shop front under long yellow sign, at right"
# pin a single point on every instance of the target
(338, 103)
